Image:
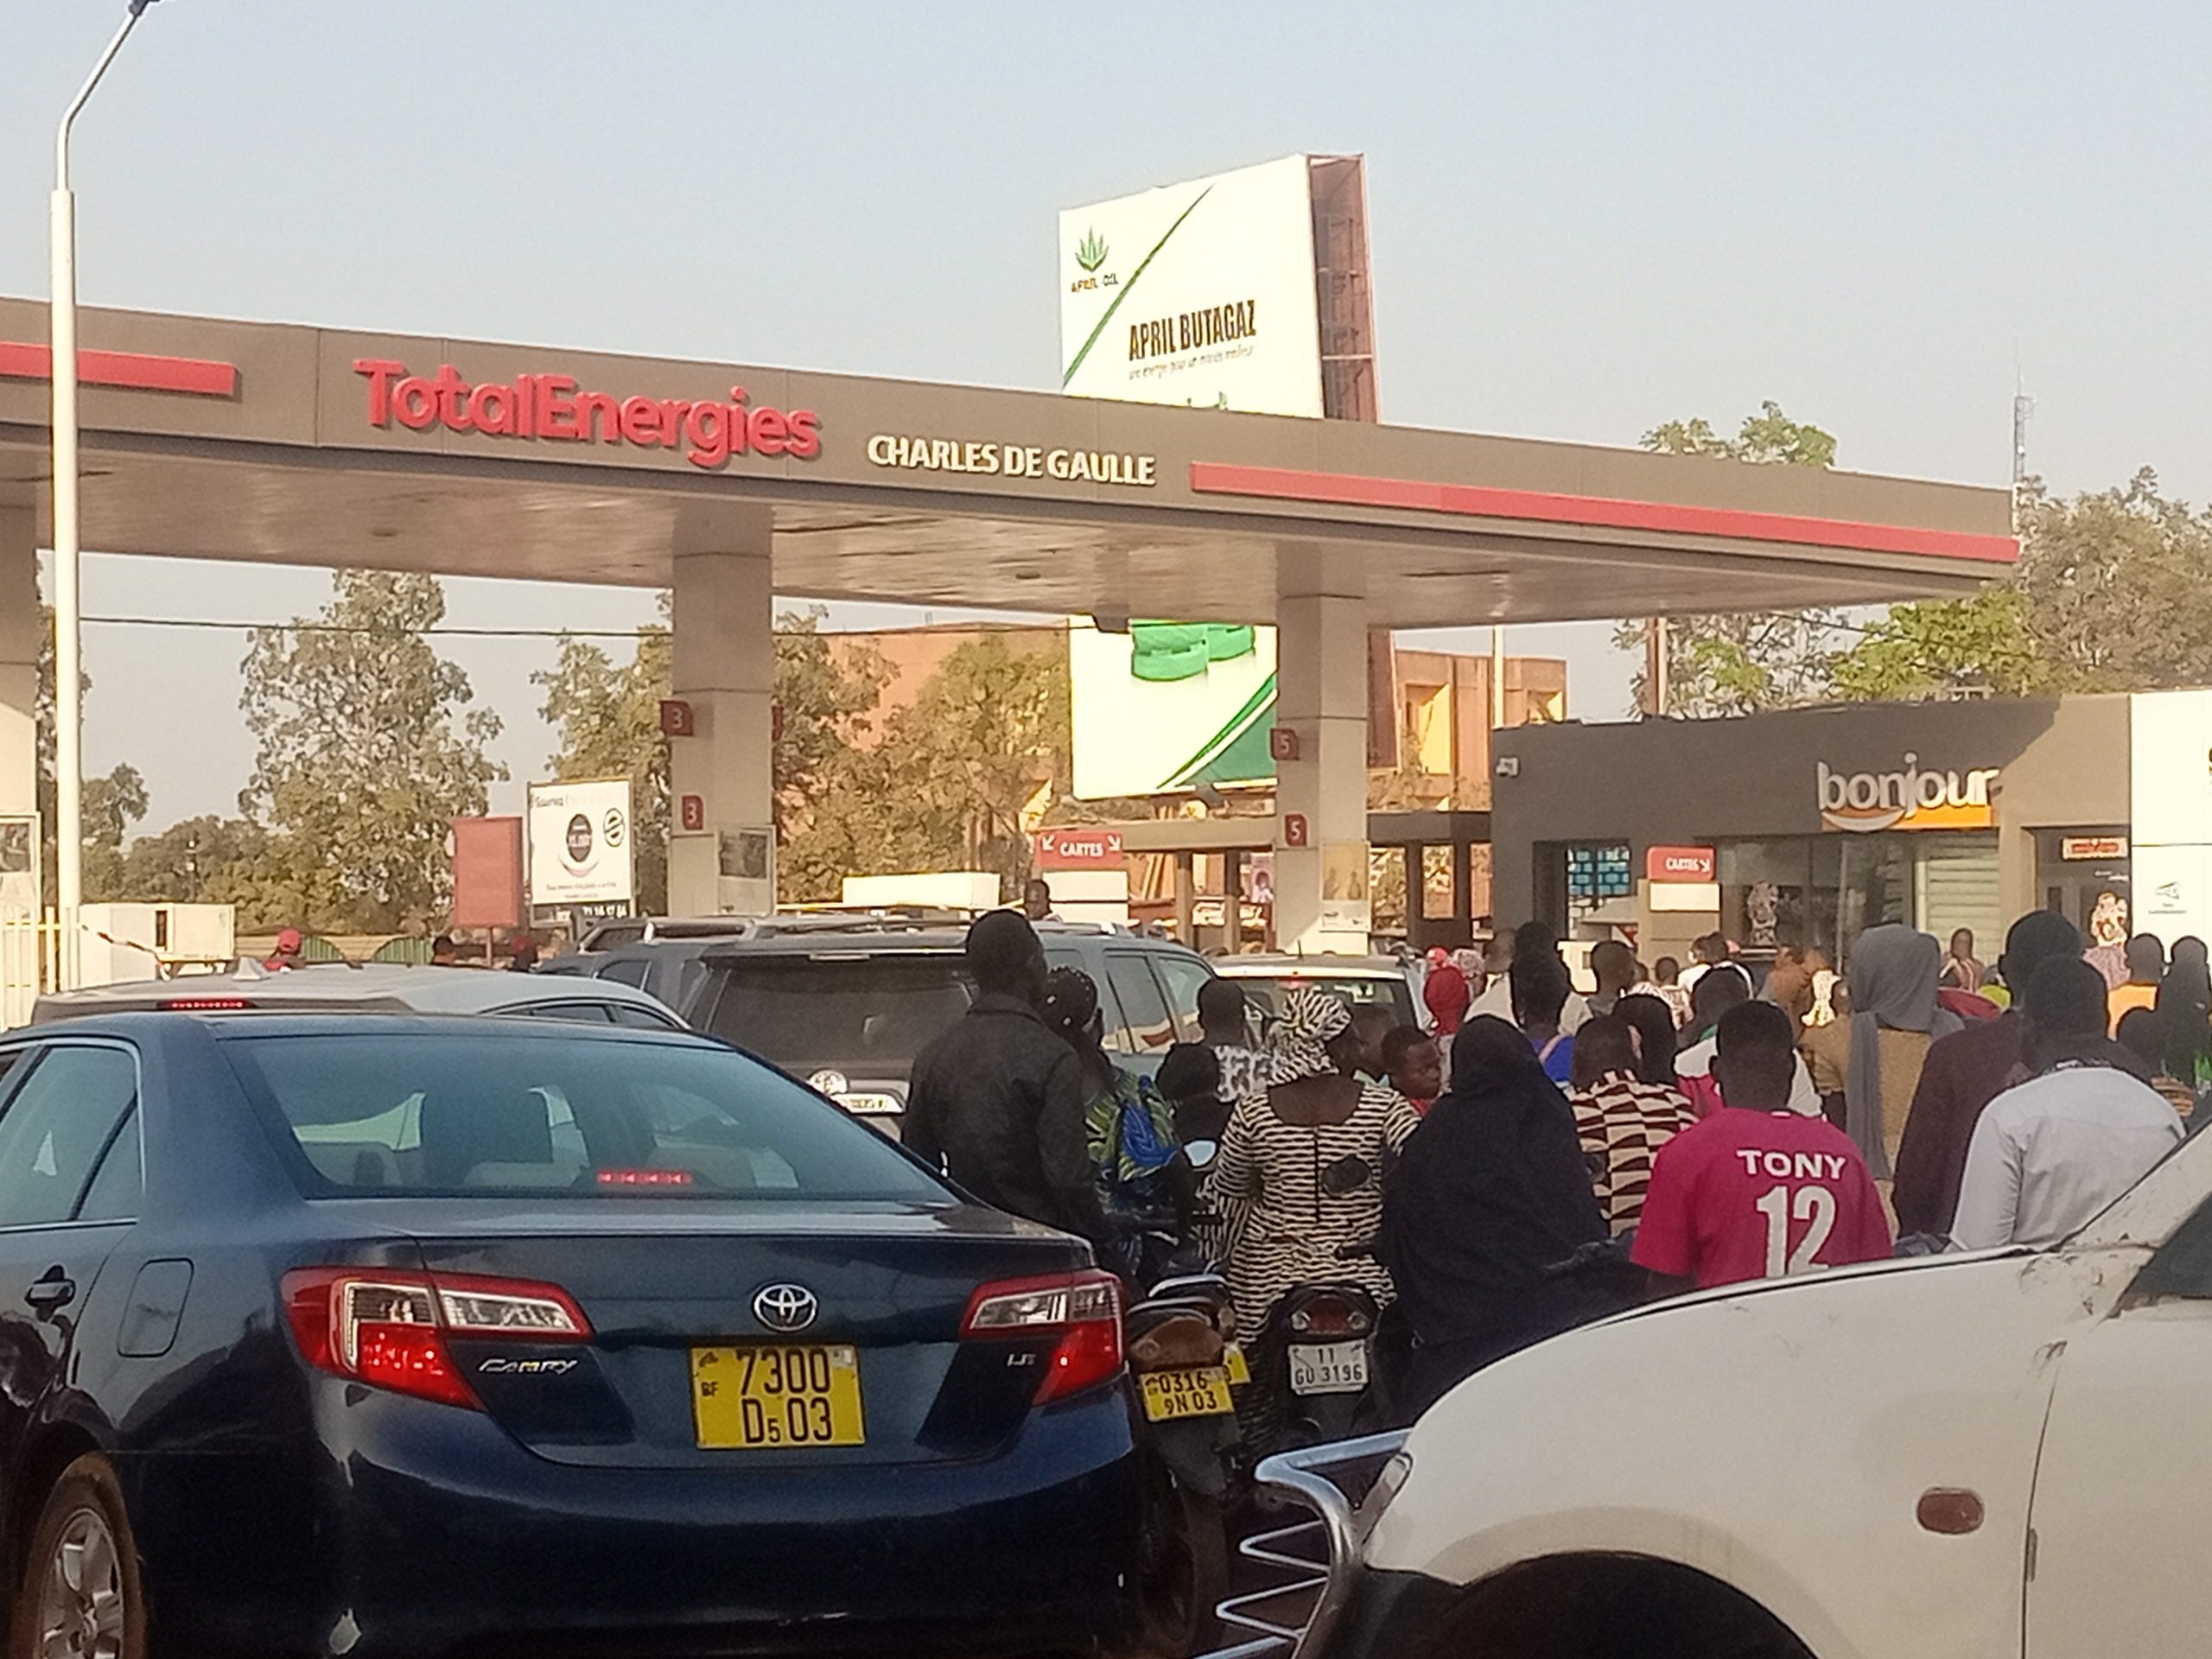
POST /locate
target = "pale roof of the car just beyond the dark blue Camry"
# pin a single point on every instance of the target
(386, 988)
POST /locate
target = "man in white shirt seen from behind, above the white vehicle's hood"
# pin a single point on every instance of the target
(2052, 1154)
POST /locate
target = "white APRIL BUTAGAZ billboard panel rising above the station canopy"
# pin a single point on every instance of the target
(1198, 293)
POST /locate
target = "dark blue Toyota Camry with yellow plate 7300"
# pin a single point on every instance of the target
(413, 1337)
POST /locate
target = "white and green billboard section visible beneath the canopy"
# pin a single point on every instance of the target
(1169, 707)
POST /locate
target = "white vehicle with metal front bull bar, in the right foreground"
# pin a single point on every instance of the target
(1976, 1457)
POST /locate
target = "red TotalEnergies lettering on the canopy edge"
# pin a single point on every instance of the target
(550, 408)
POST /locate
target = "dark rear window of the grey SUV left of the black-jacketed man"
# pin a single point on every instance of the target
(866, 1016)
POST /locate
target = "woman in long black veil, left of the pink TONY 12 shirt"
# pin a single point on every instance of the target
(1488, 1200)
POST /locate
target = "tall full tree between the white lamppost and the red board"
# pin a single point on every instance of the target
(368, 753)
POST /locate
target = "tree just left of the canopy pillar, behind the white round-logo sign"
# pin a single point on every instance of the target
(609, 724)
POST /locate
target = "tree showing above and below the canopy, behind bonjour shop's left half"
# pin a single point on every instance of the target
(1733, 665)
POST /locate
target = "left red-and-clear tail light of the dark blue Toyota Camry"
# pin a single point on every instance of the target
(390, 1328)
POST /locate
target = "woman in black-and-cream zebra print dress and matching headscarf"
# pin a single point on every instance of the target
(1302, 1167)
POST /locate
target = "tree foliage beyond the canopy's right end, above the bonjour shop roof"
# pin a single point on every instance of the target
(2109, 596)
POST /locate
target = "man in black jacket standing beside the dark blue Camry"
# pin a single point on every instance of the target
(999, 1100)
